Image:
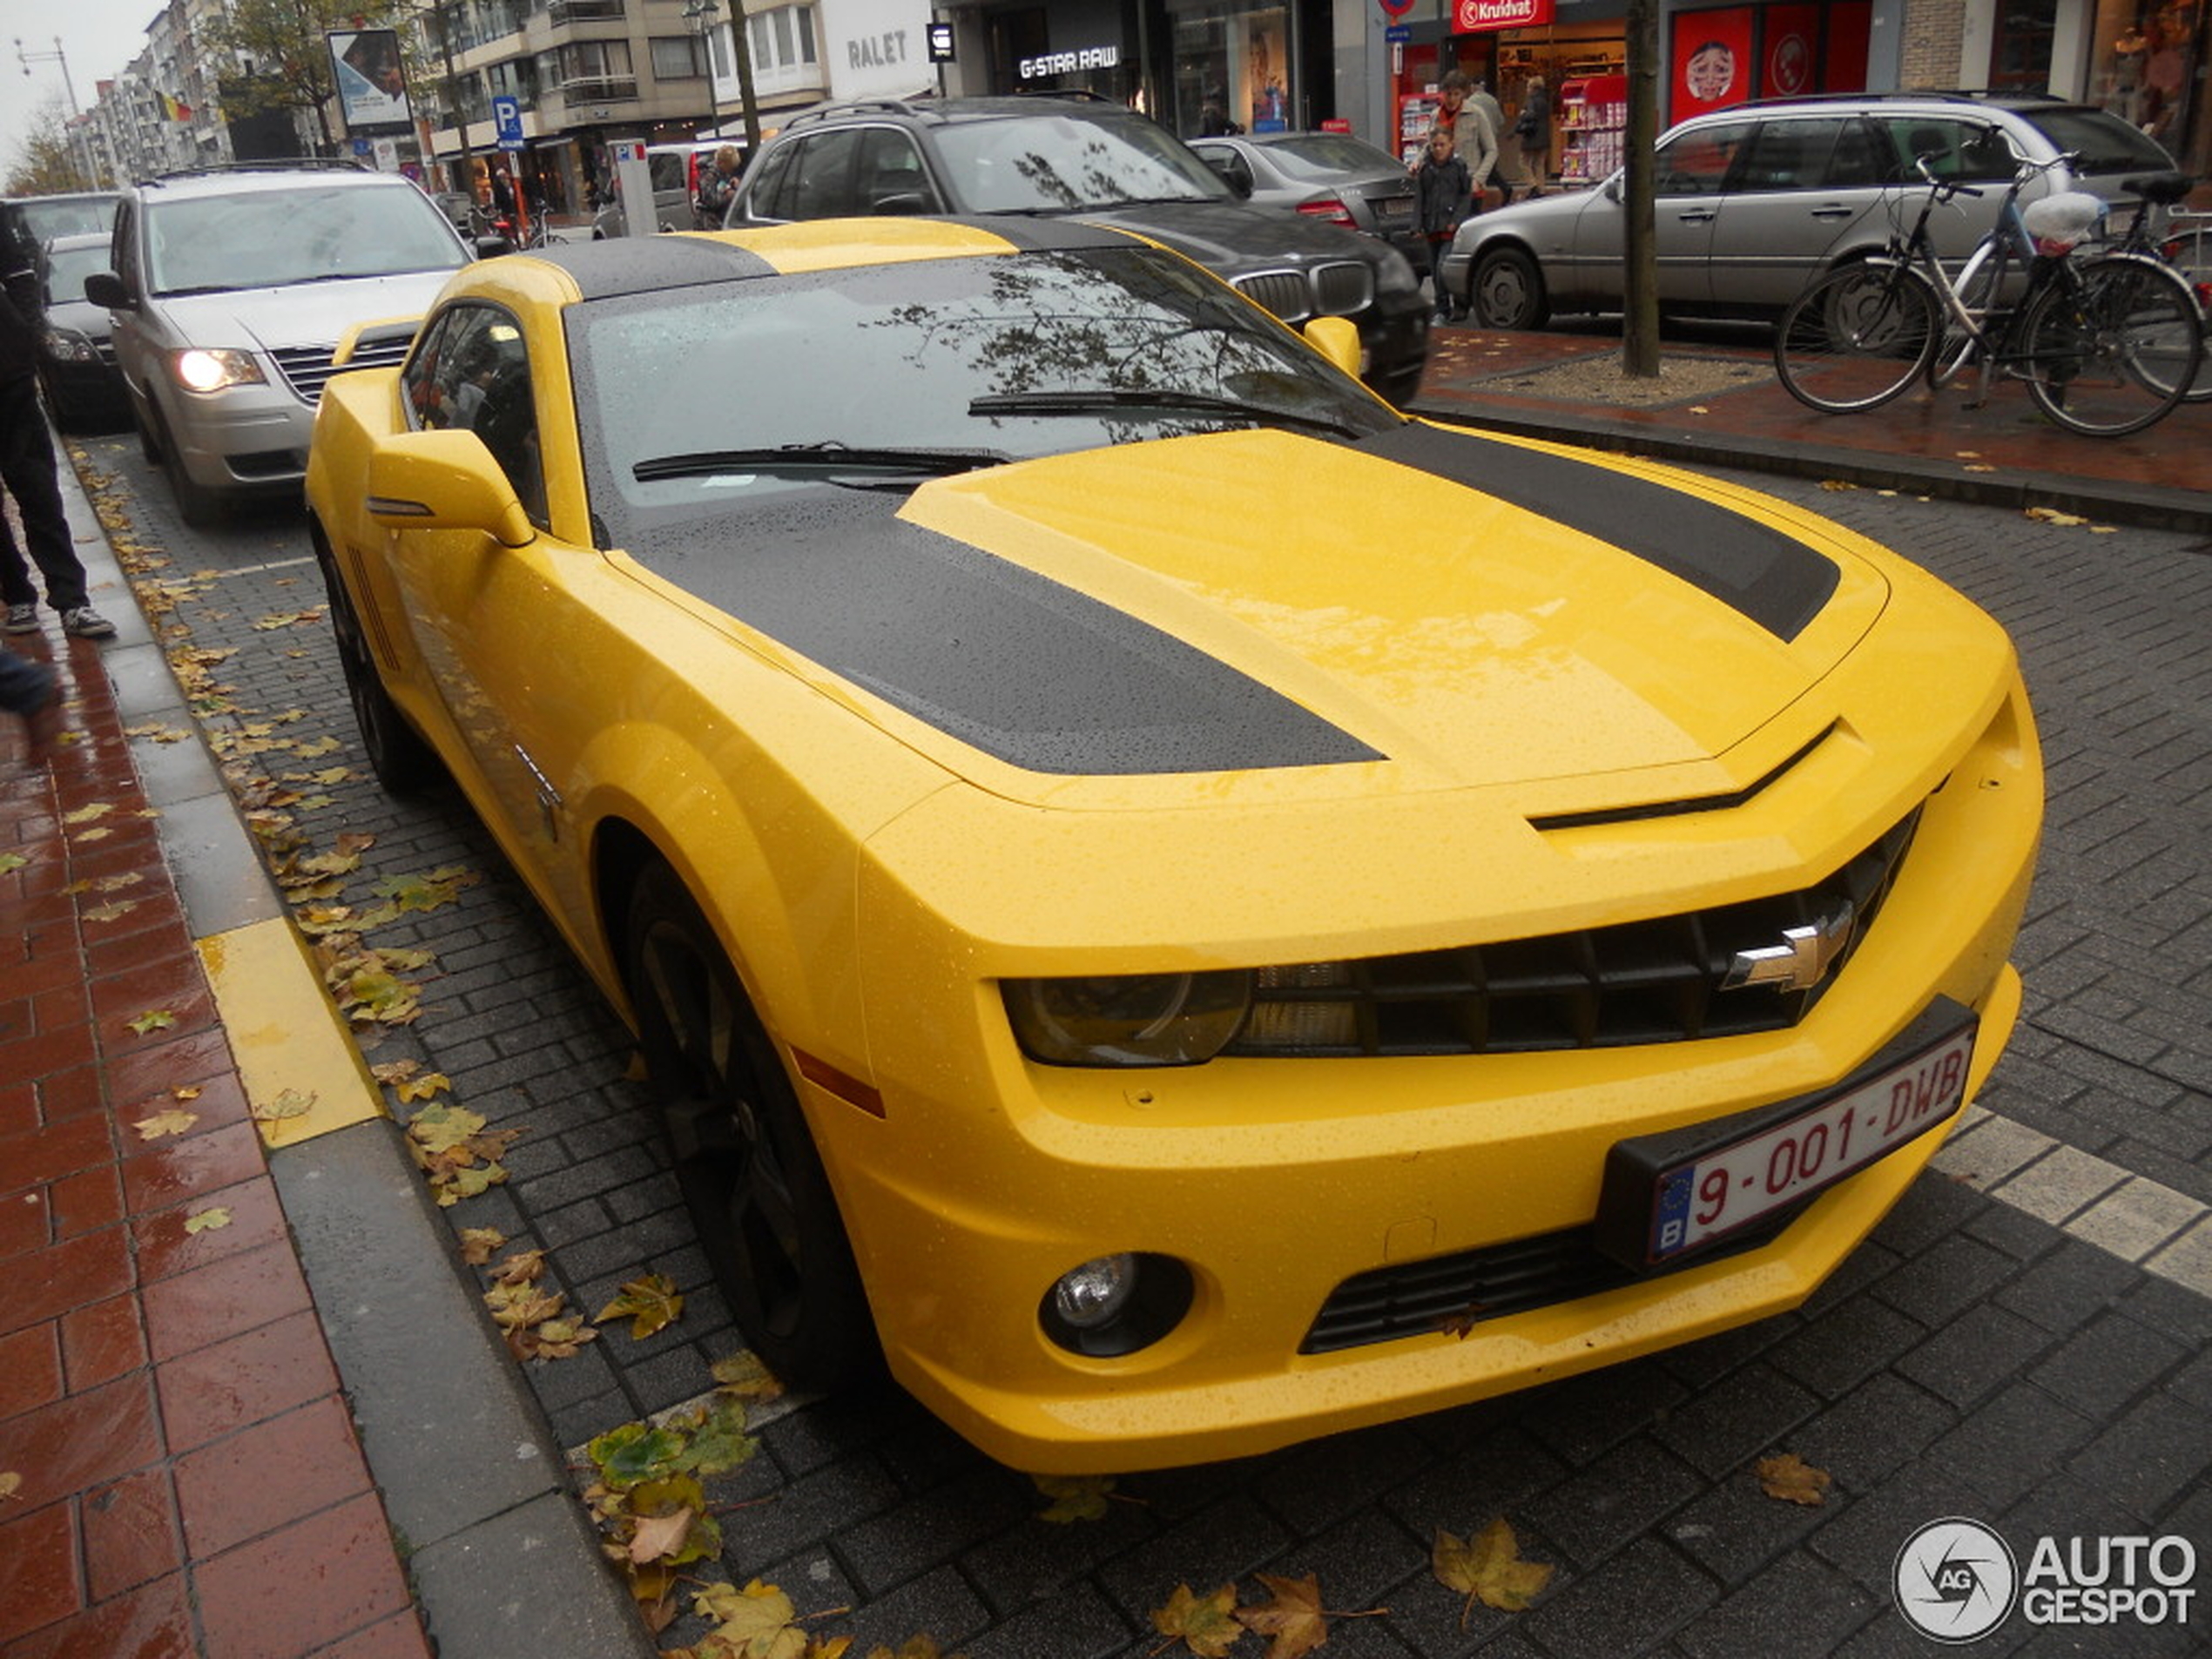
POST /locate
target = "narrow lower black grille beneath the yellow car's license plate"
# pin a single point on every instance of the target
(1472, 1286)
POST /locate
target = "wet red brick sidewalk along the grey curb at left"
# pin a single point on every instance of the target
(185, 1470)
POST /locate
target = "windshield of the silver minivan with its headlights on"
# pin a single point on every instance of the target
(309, 236)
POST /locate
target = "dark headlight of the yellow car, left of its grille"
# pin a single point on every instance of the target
(1129, 1021)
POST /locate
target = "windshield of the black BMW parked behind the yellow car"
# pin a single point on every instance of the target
(1070, 163)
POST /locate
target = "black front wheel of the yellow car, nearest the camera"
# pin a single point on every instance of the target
(744, 1158)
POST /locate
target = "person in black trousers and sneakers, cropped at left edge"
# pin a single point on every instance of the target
(32, 474)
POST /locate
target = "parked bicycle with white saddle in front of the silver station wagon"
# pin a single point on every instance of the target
(2107, 344)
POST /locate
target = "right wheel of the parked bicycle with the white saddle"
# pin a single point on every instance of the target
(2111, 348)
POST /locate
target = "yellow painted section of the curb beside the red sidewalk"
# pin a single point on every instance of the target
(304, 1076)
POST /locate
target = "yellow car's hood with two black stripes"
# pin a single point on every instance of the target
(1450, 609)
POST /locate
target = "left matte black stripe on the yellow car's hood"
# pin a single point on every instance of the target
(997, 656)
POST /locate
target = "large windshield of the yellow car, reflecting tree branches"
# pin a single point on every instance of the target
(700, 401)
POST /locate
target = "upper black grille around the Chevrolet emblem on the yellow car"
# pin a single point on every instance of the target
(1600, 988)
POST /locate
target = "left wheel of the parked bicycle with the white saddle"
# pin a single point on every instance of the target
(1857, 337)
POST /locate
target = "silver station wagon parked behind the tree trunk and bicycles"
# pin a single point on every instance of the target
(1755, 202)
